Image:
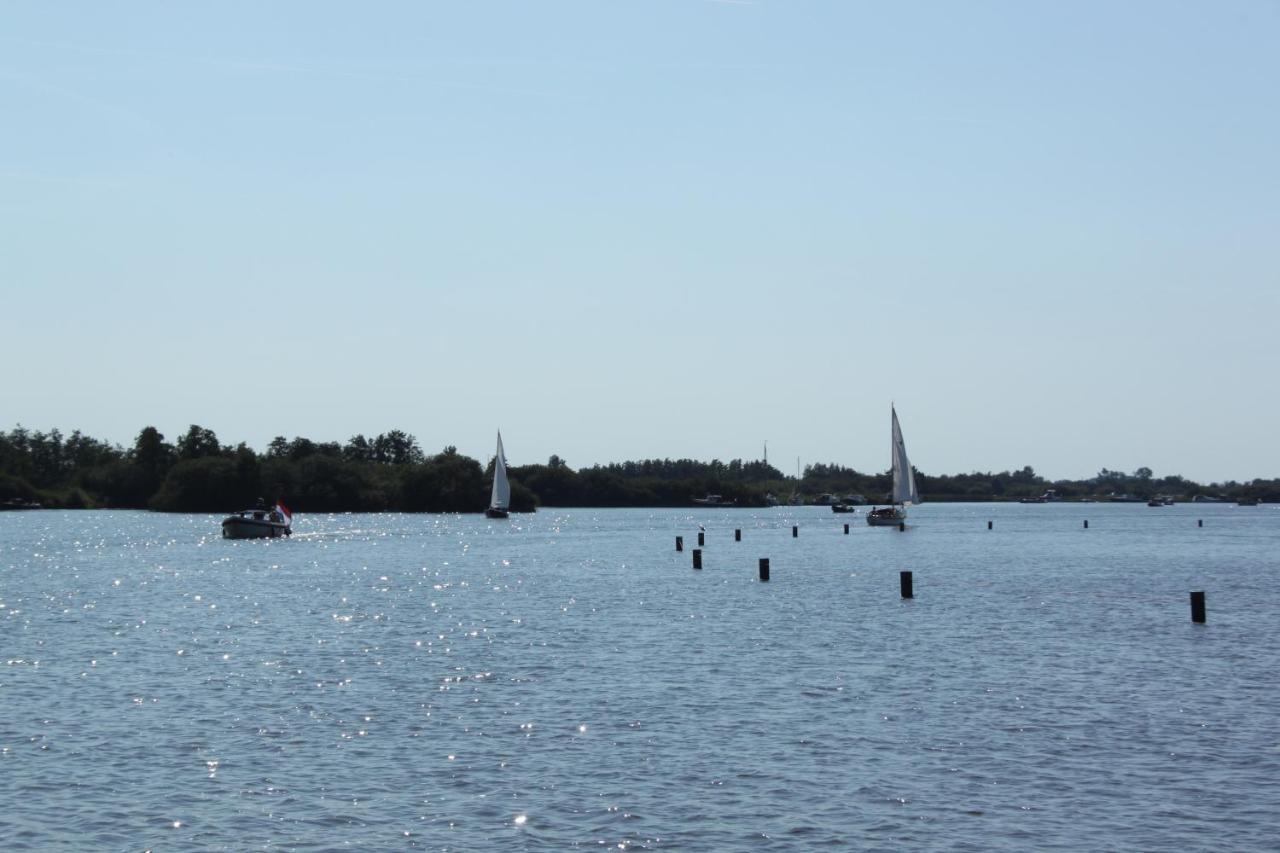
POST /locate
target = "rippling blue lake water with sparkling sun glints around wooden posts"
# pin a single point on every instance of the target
(568, 681)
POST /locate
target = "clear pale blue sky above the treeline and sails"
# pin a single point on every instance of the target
(1049, 234)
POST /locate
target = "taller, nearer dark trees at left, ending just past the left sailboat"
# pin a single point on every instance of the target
(200, 475)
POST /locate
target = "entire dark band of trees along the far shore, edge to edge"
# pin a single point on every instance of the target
(196, 473)
